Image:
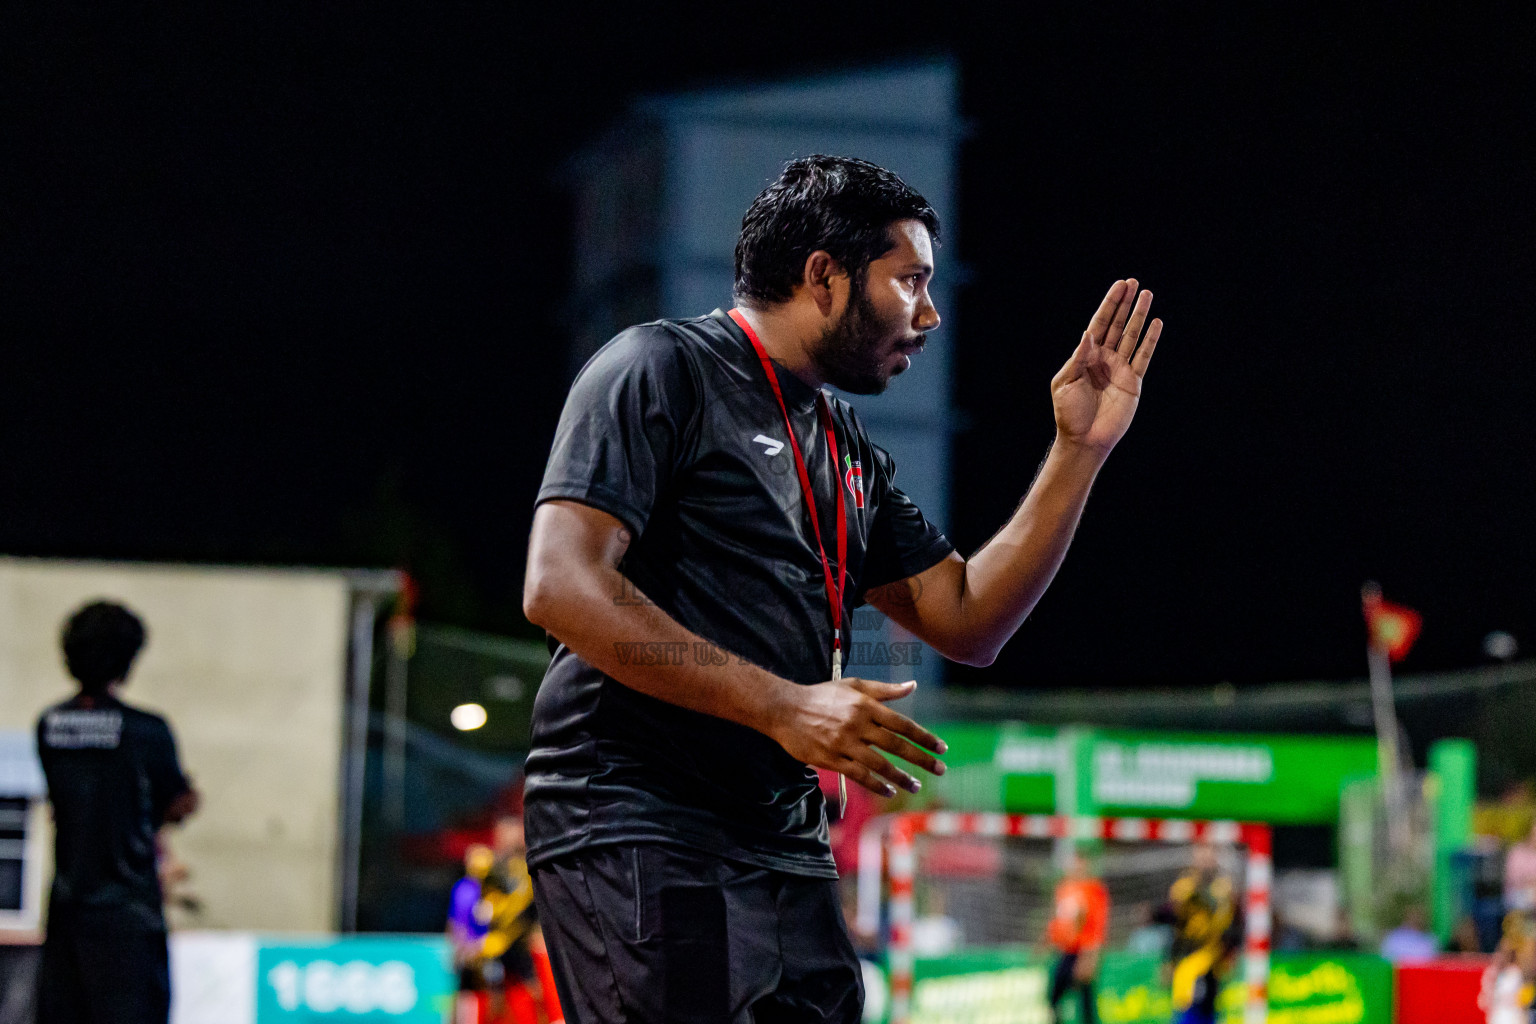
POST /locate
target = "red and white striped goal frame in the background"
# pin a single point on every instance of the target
(902, 831)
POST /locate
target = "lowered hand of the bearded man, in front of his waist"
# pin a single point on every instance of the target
(839, 725)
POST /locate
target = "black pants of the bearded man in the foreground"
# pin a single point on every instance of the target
(655, 934)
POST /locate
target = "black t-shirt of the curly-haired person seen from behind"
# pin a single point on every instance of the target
(111, 773)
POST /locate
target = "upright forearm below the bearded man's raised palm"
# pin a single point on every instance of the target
(1005, 580)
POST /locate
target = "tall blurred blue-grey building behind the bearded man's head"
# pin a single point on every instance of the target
(660, 205)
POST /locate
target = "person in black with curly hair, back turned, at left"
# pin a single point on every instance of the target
(114, 781)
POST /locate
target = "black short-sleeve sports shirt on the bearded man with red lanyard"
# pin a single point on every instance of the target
(674, 431)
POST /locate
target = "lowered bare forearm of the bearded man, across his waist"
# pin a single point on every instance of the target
(603, 618)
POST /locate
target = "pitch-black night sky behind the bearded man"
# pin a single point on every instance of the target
(290, 289)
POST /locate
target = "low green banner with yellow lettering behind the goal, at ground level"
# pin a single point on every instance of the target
(1010, 986)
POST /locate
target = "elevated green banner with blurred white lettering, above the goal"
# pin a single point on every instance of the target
(1280, 779)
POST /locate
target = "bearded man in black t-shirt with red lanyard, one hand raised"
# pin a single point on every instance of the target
(709, 520)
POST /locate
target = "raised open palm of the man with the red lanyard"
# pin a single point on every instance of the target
(1096, 394)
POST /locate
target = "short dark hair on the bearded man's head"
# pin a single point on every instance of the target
(838, 205)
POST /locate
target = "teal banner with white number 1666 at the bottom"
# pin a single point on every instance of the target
(379, 980)
